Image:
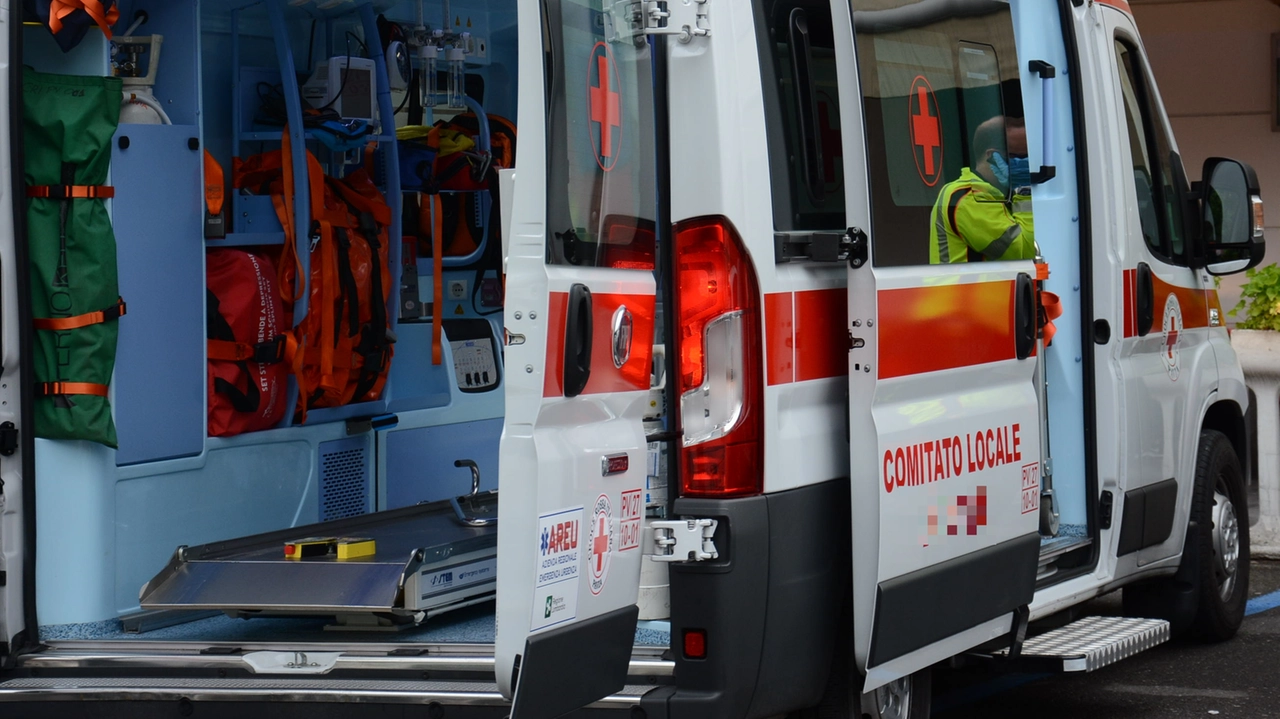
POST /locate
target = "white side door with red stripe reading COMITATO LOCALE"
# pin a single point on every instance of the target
(944, 411)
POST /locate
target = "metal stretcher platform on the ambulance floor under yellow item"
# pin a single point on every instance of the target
(428, 558)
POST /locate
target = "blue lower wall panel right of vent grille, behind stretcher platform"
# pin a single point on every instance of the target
(420, 461)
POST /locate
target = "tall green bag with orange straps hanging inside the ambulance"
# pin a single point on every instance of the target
(70, 123)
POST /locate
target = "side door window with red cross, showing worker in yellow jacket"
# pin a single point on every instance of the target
(947, 134)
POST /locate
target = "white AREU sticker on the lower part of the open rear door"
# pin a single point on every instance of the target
(559, 566)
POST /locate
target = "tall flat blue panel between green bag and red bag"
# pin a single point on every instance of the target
(161, 369)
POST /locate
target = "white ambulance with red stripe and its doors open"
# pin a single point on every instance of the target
(714, 439)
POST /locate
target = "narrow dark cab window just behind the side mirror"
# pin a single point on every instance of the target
(1156, 184)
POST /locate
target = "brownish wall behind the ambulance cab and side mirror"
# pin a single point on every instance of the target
(1213, 63)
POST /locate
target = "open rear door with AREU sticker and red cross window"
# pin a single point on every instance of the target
(580, 320)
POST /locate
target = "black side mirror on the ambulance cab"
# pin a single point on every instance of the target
(1231, 218)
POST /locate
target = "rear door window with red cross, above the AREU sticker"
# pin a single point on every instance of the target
(601, 191)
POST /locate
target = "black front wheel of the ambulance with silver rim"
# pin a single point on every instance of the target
(1206, 598)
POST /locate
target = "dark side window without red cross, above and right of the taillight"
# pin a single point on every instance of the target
(798, 62)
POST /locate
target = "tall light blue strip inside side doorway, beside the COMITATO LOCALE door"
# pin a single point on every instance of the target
(1058, 231)
